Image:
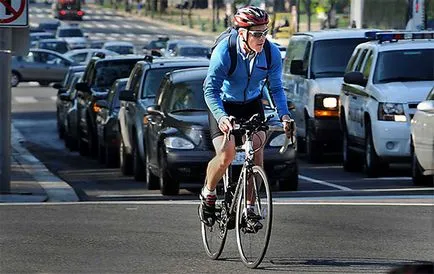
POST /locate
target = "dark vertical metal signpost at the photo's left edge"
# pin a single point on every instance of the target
(5, 109)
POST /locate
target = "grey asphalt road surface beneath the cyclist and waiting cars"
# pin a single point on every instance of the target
(337, 222)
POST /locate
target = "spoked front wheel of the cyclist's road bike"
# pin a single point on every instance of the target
(253, 236)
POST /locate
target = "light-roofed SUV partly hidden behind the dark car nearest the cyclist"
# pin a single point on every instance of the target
(140, 92)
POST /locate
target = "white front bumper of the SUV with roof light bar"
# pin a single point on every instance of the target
(391, 139)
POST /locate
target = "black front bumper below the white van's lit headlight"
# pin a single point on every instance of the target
(325, 130)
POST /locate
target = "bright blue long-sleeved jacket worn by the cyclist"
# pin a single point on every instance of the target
(242, 86)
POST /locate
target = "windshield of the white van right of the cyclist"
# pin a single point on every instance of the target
(330, 57)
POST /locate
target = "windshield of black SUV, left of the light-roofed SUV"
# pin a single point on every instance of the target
(108, 72)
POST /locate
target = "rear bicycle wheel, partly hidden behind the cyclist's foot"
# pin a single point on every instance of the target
(214, 237)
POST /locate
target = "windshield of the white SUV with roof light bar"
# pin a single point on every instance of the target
(393, 66)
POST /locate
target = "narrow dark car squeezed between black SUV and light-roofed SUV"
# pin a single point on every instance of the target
(107, 125)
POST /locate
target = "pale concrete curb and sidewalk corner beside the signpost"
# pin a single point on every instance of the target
(56, 189)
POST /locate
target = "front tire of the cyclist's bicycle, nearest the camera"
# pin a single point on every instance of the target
(253, 246)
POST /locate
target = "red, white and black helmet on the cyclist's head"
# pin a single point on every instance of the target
(250, 16)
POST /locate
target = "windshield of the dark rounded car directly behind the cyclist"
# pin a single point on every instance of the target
(187, 96)
